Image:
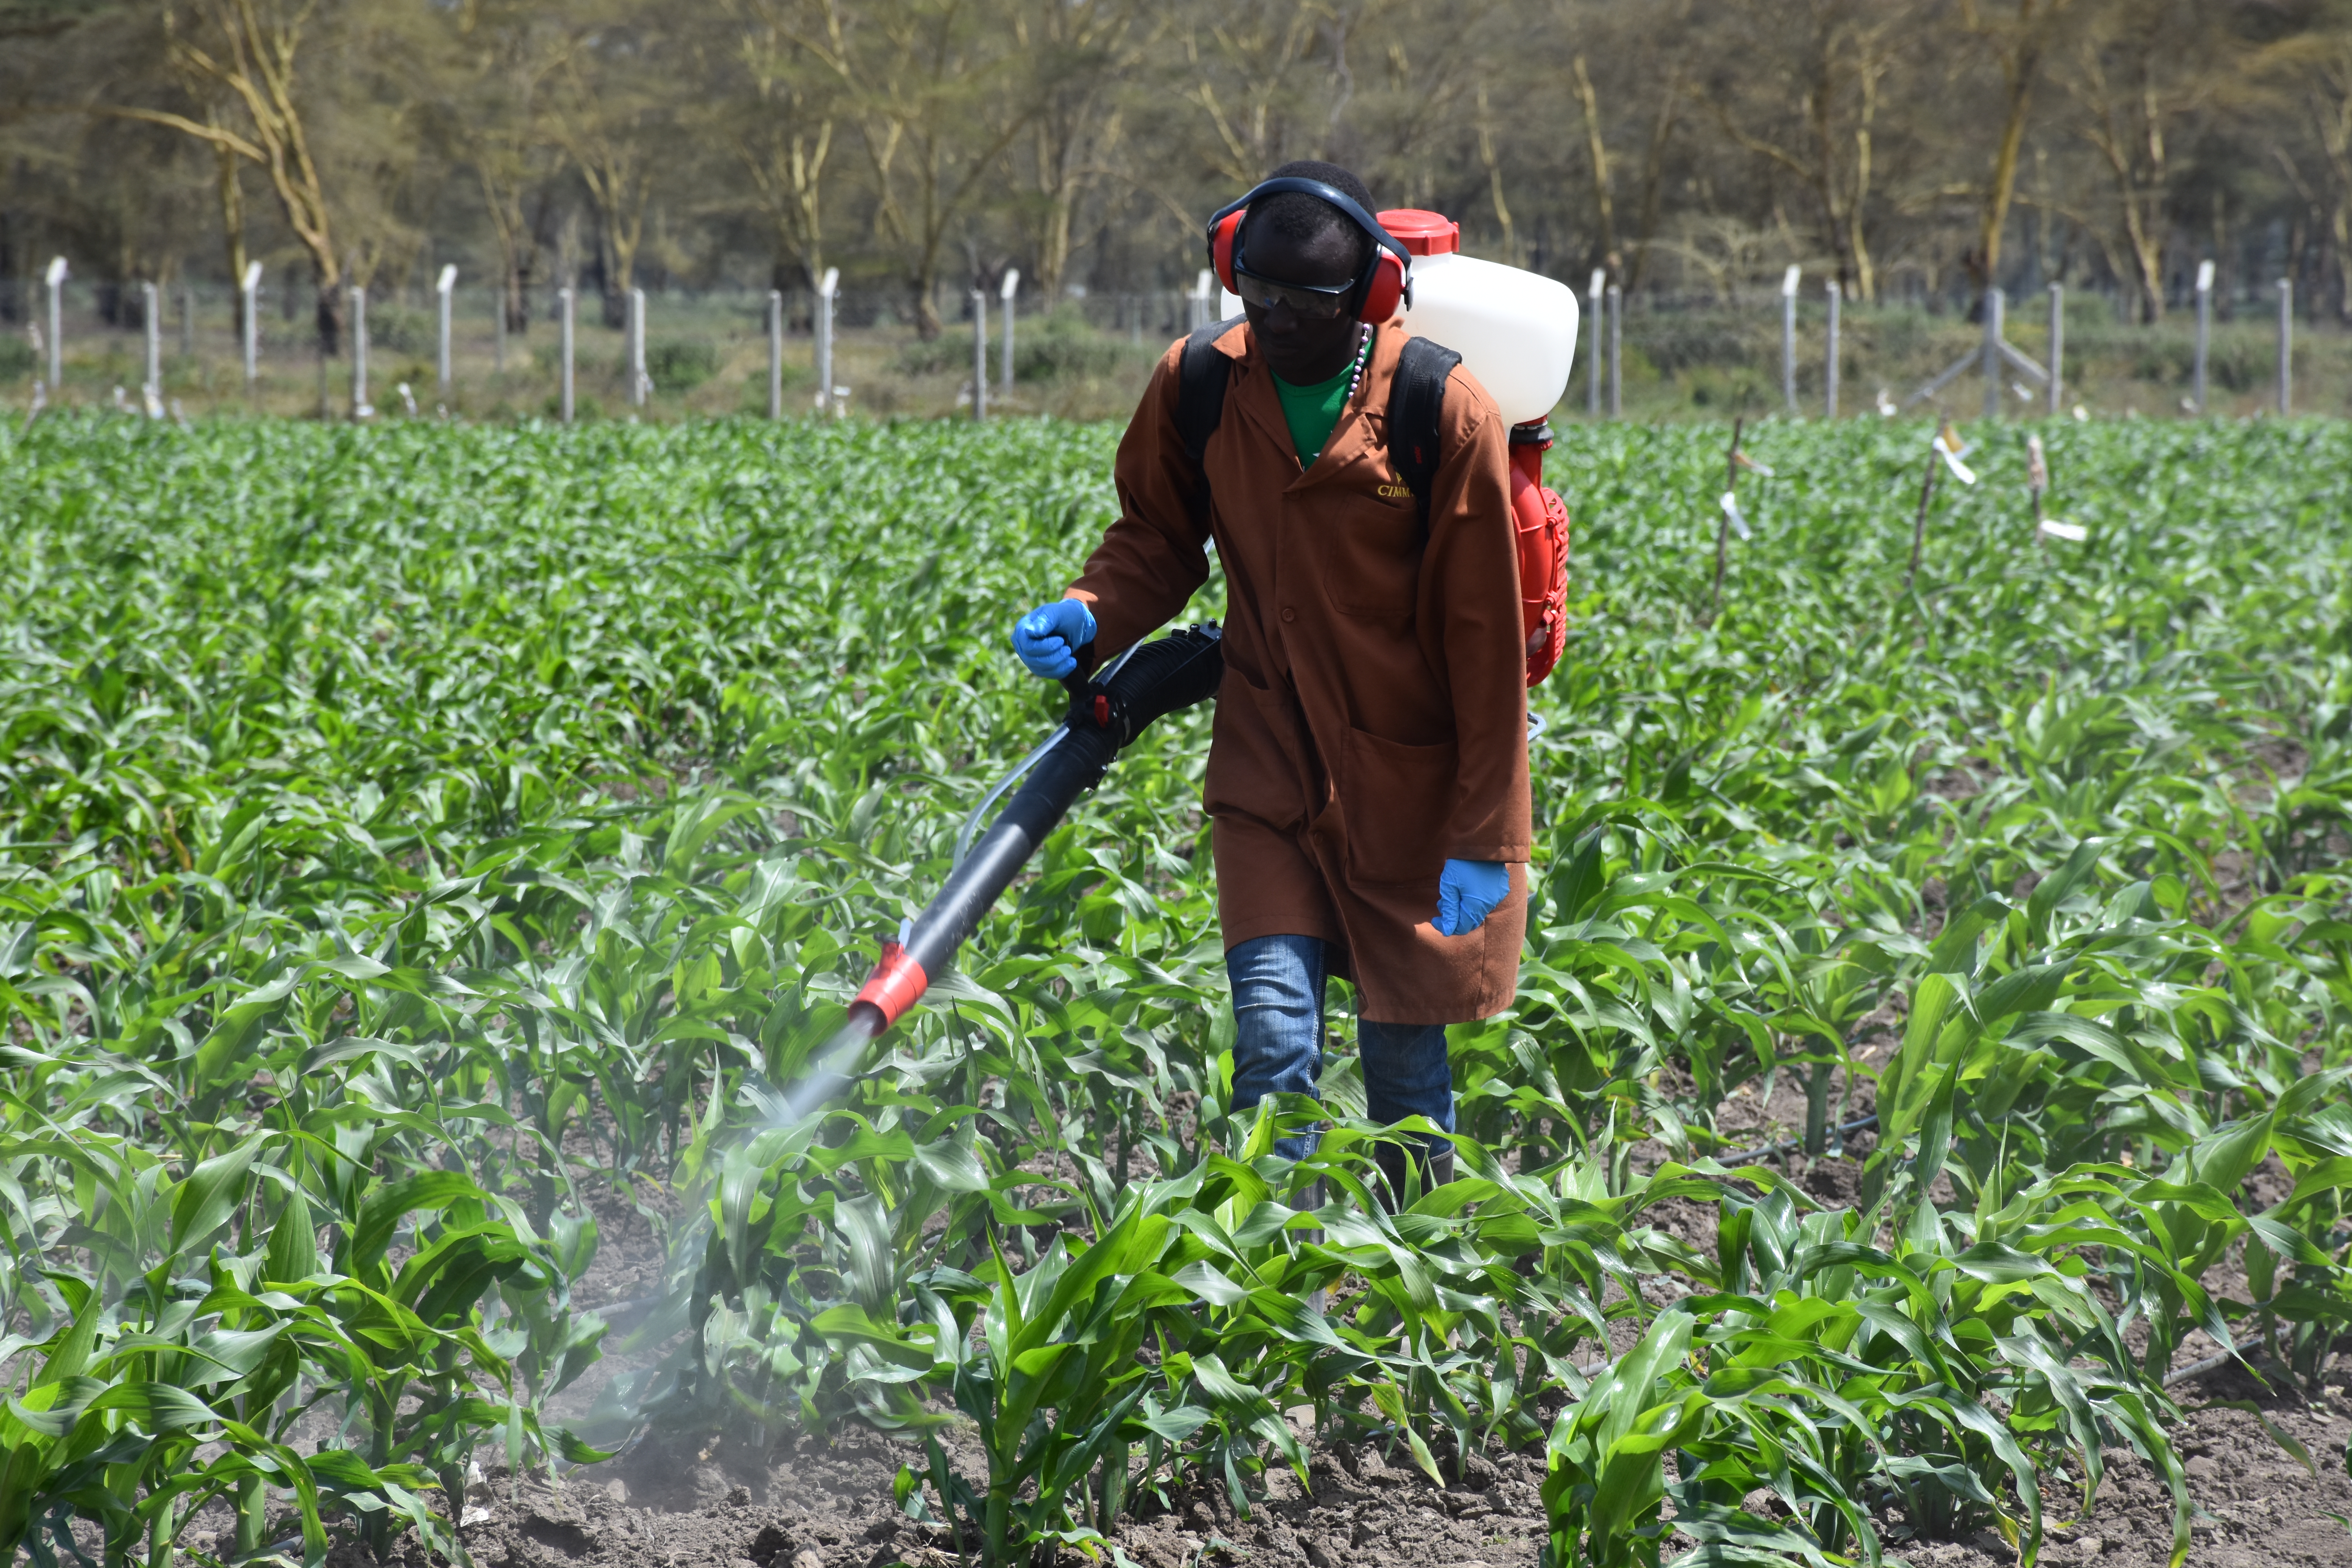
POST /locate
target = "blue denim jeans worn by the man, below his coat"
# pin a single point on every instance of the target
(1278, 993)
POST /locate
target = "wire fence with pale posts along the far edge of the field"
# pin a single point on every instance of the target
(726, 351)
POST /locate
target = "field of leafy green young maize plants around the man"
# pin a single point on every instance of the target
(432, 852)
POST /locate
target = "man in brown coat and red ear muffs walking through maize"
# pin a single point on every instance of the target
(1368, 775)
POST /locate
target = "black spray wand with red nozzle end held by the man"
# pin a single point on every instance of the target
(1107, 716)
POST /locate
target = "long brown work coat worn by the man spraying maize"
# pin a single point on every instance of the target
(1375, 709)
